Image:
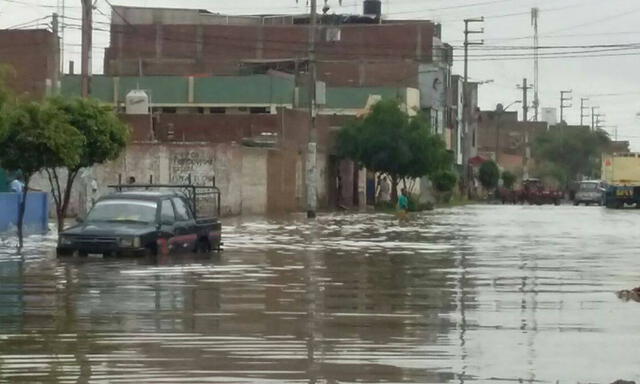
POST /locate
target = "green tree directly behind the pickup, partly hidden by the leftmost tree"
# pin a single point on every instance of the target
(105, 137)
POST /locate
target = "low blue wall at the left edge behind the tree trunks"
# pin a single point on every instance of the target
(36, 215)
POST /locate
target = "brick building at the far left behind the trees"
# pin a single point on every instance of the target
(33, 60)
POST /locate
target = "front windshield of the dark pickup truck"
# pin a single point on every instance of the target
(124, 211)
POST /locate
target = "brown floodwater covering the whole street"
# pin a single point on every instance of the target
(477, 294)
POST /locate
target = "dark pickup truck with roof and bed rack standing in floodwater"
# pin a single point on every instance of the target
(143, 222)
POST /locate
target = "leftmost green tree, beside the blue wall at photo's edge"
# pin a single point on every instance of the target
(35, 136)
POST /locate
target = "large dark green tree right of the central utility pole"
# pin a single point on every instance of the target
(389, 141)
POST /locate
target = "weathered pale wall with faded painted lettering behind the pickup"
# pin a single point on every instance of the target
(251, 180)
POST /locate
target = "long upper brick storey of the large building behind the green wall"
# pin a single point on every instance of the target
(351, 50)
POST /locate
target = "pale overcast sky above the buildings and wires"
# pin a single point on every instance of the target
(610, 82)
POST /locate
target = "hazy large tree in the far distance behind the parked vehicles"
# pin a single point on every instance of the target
(568, 153)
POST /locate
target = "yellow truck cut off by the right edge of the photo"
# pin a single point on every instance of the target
(621, 173)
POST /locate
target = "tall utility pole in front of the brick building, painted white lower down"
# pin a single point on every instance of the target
(312, 146)
